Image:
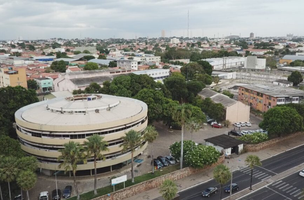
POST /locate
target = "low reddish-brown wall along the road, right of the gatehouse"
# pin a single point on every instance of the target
(269, 143)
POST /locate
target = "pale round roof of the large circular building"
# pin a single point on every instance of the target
(81, 110)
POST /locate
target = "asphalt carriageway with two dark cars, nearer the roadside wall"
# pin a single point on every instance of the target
(270, 167)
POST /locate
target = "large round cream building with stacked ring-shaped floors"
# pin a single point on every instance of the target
(44, 127)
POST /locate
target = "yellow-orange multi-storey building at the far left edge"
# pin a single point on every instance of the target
(13, 77)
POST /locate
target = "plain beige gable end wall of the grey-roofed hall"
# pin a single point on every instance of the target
(238, 112)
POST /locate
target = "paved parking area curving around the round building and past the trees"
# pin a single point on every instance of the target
(160, 147)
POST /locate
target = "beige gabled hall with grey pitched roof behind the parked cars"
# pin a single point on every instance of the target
(235, 111)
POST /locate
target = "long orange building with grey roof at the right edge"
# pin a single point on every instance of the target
(262, 98)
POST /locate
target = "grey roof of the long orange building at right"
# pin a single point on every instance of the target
(275, 91)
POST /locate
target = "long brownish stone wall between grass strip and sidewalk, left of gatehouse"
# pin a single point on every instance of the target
(156, 182)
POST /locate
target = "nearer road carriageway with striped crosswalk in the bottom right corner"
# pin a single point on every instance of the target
(290, 188)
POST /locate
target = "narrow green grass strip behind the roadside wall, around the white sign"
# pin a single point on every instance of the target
(137, 179)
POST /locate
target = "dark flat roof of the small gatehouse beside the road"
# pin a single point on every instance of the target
(224, 141)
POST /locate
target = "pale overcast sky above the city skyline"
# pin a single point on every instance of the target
(43, 19)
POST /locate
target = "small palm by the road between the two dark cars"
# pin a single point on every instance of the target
(221, 175)
